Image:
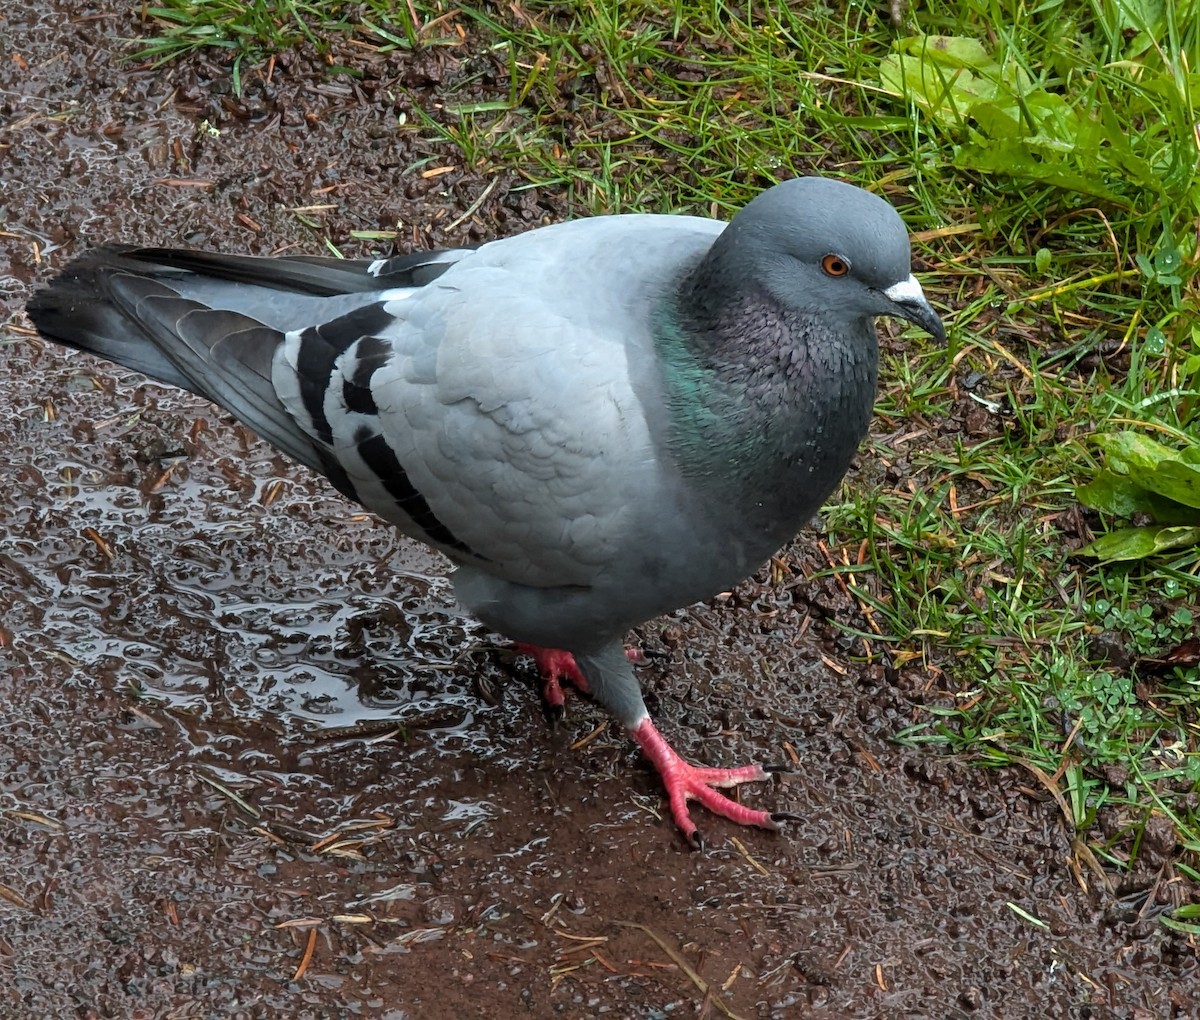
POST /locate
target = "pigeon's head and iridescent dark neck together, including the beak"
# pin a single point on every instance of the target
(770, 353)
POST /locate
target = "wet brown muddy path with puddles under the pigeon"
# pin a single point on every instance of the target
(255, 763)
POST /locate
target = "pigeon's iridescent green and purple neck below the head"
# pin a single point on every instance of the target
(767, 404)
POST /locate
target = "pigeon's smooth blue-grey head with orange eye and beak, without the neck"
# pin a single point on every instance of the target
(830, 251)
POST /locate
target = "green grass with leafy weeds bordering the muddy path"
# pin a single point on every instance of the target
(1047, 160)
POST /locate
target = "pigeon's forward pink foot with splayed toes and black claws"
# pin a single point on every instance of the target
(688, 783)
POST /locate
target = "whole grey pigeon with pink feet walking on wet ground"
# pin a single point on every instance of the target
(597, 422)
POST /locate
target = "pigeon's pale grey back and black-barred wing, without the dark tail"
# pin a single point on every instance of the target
(493, 412)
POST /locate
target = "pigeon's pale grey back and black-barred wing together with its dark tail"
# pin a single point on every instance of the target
(479, 400)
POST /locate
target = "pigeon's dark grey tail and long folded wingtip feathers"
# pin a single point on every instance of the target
(214, 323)
